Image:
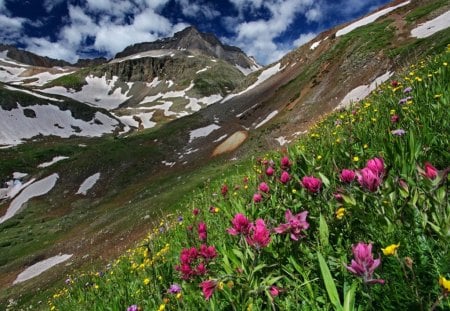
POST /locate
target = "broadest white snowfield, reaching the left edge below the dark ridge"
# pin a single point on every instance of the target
(49, 120)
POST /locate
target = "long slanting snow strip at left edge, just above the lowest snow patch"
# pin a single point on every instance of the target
(36, 189)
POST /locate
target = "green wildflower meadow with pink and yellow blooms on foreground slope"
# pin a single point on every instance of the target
(353, 216)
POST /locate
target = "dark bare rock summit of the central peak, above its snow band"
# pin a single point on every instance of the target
(192, 40)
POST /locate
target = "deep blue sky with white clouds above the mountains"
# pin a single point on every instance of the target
(265, 29)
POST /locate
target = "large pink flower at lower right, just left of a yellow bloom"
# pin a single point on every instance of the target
(363, 264)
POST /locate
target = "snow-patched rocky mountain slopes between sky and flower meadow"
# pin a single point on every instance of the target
(155, 119)
